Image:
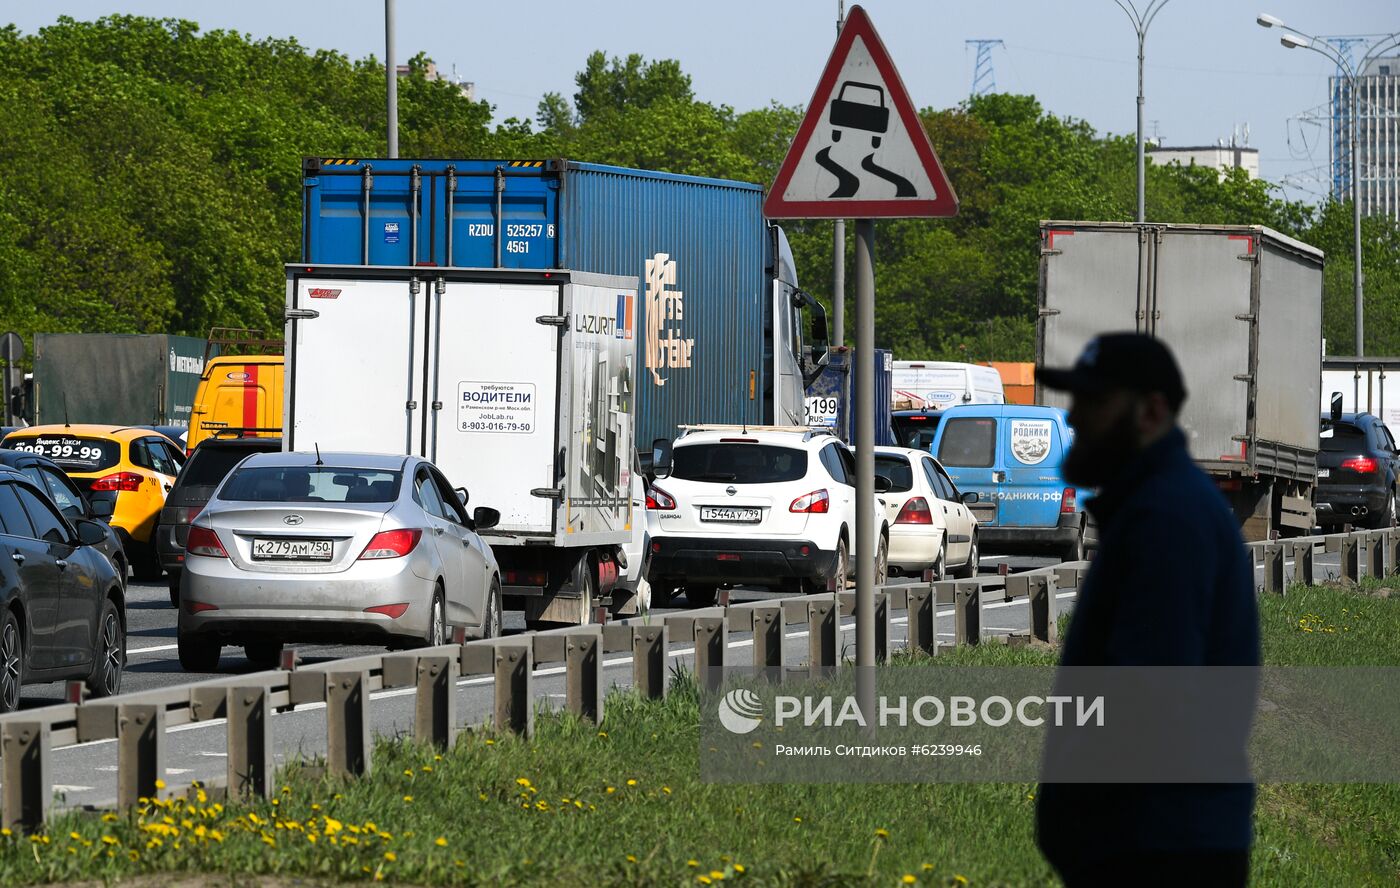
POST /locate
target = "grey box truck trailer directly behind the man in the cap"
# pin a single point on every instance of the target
(1241, 306)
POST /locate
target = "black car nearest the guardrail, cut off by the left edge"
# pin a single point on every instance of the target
(62, 609)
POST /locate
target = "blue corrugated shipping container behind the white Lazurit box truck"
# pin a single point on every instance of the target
(699, 249)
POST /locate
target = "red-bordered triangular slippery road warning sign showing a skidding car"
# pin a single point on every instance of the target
(862, 151)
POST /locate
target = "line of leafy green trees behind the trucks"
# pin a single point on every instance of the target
(150, 183)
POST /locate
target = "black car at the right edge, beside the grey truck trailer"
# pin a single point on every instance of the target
(1357, 473)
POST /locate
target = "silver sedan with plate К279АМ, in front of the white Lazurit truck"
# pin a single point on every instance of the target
(334, 548)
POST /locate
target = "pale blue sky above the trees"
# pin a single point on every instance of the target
(1210, 68)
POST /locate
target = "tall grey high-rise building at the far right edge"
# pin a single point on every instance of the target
(1378, 137)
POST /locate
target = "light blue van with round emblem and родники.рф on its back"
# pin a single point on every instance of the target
(1011, 456)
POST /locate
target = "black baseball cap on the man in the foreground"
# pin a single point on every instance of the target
(1135, 362)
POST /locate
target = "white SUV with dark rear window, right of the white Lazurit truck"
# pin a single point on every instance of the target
(772, 506)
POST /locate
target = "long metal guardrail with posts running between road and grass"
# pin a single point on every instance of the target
(138, 722)
